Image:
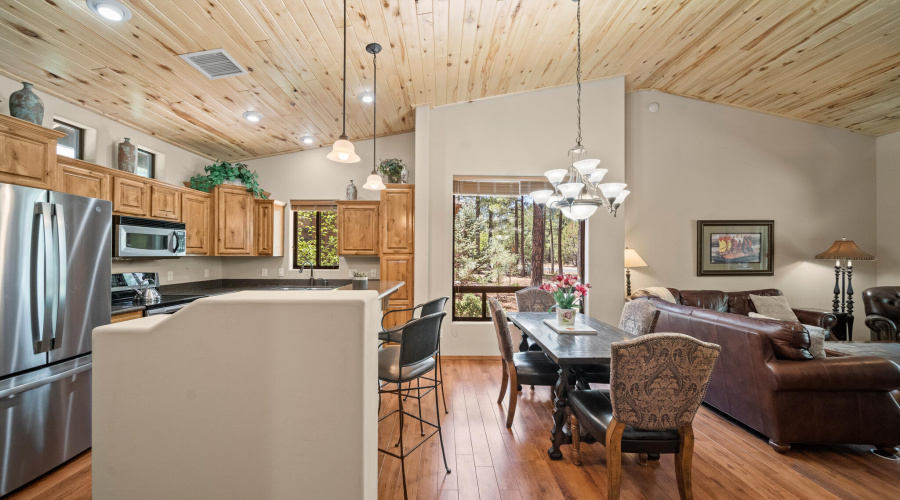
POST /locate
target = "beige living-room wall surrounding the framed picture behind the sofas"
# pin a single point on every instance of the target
(694, 160)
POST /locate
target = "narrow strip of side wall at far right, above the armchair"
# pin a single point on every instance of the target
(887, 175)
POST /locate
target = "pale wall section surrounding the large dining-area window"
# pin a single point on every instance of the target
(523, 134)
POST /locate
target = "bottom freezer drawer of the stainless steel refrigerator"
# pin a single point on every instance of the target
(45, 424)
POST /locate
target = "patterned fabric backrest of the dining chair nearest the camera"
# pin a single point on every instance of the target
(659, 380)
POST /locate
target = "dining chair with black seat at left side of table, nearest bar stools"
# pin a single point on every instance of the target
(529, 367)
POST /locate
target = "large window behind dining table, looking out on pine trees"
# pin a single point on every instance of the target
(494, 252)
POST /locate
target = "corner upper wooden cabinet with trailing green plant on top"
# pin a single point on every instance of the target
(234, 220)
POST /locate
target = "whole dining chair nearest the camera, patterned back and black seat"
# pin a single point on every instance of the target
(657, 383)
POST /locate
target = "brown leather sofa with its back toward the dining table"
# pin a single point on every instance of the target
(766, 379)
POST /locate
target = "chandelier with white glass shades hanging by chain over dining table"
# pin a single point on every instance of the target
(582, 193)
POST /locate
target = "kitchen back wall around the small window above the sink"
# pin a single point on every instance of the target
(309, 175)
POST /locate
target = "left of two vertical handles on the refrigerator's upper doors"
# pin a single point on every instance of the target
(41, 307)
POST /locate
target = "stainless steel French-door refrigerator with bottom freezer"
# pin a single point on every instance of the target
(55, 257)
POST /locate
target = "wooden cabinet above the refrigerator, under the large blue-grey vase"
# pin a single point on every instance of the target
(27, 153)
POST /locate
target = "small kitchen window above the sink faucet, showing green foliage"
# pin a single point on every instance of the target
(315, 238)
